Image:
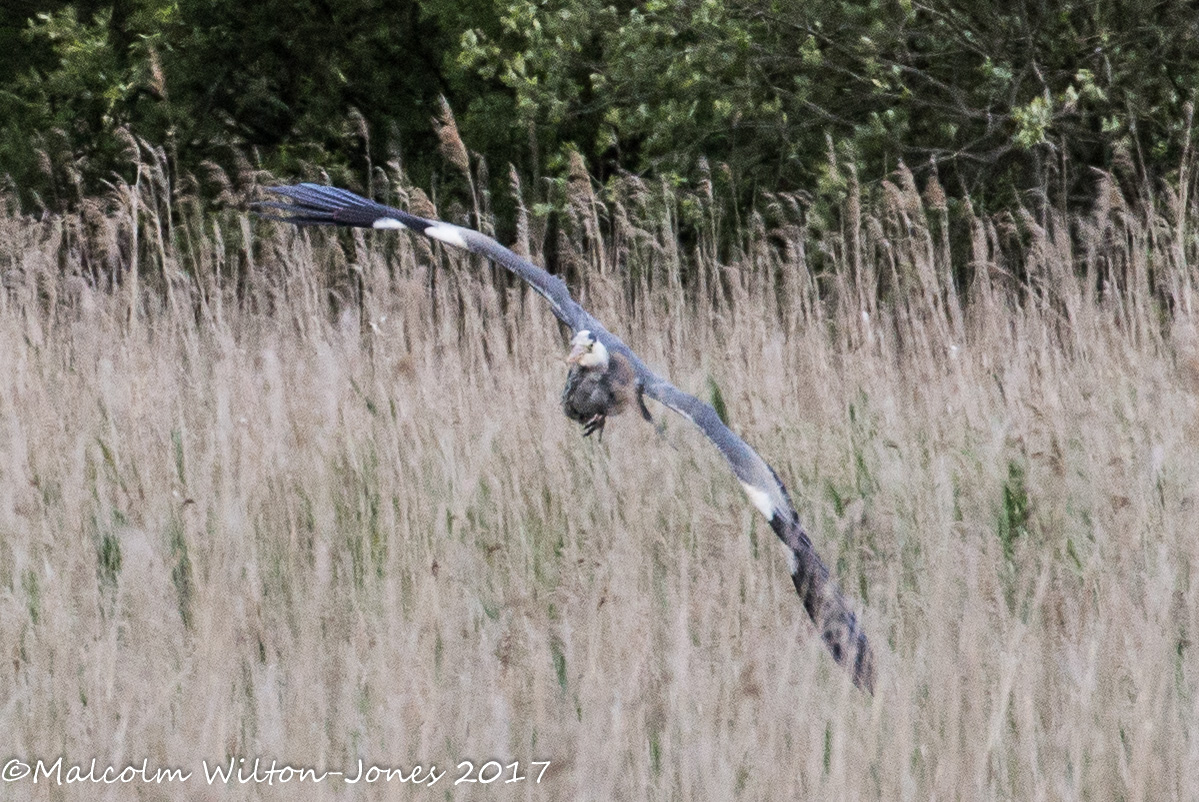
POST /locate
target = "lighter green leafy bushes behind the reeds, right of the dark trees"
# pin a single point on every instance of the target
(998, 95)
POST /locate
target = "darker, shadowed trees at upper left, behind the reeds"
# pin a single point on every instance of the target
(212, 81)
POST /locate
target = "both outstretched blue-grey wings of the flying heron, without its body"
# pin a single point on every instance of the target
(310, 204)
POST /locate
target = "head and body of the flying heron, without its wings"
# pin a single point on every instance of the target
(599, 385)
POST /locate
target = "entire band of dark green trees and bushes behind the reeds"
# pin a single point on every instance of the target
(1013, 105)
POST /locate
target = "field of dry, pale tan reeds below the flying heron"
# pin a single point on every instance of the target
(317, 504)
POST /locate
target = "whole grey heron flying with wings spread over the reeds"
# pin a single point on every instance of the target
(608, 377)
